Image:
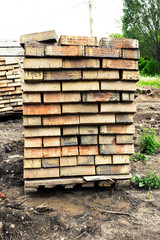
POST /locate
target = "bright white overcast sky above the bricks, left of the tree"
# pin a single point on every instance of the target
(66, 17)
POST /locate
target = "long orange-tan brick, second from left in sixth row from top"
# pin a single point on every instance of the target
(61, 97)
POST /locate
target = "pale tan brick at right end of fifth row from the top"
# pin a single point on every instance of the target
(118, 86)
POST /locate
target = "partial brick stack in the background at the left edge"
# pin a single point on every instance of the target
(10, 86)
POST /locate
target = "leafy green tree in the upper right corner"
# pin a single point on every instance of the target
(141, 20)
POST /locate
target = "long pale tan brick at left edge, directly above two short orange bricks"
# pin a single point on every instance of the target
(42, 132)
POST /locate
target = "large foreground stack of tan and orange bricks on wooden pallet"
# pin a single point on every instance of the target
(78, 108)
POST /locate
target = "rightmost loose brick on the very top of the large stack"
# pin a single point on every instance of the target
(119, 43)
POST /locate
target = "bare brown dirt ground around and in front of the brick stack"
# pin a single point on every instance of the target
(81, 213)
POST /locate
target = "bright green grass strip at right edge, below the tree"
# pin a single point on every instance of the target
(149, 81)
